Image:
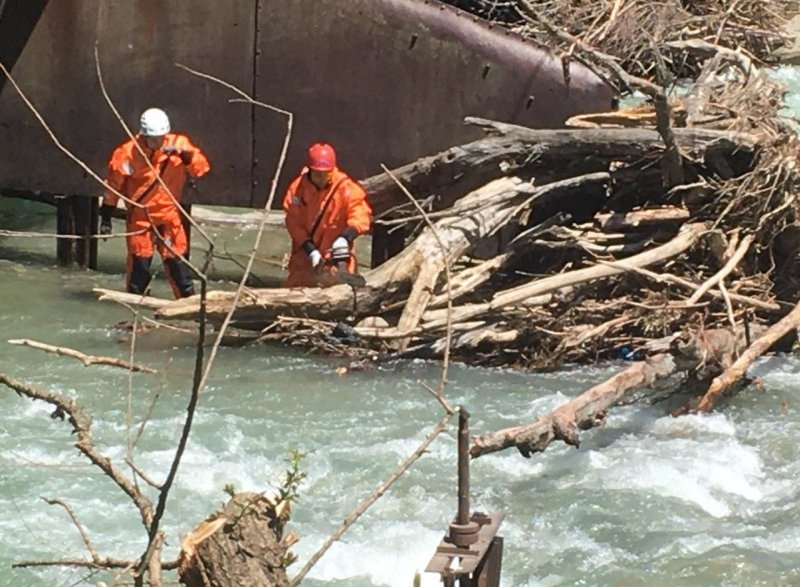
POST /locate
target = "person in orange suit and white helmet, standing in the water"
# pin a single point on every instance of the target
(156, 223)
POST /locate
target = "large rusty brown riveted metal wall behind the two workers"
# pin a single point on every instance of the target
(385, 81)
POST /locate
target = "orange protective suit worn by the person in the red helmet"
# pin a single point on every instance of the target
(339, 209)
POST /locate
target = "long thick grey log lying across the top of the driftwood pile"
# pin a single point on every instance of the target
(457, 170)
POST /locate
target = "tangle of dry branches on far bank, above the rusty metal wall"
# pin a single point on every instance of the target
(631, 30)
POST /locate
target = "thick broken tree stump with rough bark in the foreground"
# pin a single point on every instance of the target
(239, 547)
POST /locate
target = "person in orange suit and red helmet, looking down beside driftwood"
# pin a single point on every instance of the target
(325, 211)
